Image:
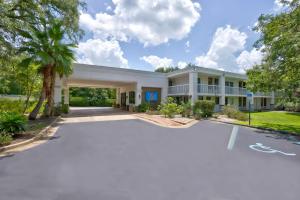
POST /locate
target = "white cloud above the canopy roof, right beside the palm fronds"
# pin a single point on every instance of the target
(101, 52)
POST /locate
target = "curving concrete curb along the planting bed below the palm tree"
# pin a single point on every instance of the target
(26, 142)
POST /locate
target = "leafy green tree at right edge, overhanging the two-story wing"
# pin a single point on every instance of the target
(280, 42)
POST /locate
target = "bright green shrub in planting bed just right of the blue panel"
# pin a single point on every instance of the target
(170, 108)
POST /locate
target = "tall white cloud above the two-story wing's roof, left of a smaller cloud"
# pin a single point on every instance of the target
(226, 43)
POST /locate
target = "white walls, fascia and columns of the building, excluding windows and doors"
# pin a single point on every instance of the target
(126, 80)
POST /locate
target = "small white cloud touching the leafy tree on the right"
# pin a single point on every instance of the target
(247, 60)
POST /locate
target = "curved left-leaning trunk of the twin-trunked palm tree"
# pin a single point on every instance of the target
(44, 93)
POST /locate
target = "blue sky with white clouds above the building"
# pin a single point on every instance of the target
(147, 34)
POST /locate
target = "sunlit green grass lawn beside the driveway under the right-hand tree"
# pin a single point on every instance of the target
(277, 120)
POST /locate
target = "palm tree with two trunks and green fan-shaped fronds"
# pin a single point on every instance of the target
(46, 48)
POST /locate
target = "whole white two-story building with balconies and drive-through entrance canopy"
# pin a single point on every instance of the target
(192, 83)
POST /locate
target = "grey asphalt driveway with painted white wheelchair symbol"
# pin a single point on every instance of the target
(135, 160)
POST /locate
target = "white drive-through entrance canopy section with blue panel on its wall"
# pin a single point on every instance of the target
(132, 87)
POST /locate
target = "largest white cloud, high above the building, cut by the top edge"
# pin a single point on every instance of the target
(150, 22)
